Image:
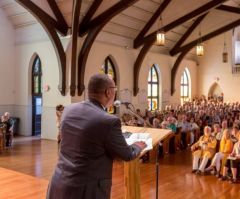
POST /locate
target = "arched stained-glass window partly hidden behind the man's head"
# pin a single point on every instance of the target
(109, 69)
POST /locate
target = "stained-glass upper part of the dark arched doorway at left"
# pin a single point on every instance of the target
(36, 77)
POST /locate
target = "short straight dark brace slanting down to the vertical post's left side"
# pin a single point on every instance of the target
(62, 24)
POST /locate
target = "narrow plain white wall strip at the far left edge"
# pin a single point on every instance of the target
(7, 61)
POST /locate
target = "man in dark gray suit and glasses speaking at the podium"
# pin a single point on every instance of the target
(91, 139)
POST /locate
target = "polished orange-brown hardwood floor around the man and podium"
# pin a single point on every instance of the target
(27, 167)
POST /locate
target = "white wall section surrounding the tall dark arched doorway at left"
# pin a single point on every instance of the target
(25, 54)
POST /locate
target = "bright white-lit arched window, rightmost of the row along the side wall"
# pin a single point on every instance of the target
(185, 84)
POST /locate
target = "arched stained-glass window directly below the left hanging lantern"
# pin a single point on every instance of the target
(153, 89)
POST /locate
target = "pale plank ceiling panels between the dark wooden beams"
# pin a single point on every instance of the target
(129, 23)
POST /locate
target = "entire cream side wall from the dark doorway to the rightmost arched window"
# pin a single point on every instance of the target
(124, 60)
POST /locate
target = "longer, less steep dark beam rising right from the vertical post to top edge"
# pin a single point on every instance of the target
(106, 15)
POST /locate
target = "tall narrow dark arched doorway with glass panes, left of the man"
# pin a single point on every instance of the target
(36, 96)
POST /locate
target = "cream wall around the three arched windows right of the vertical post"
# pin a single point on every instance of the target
(125, 58)
